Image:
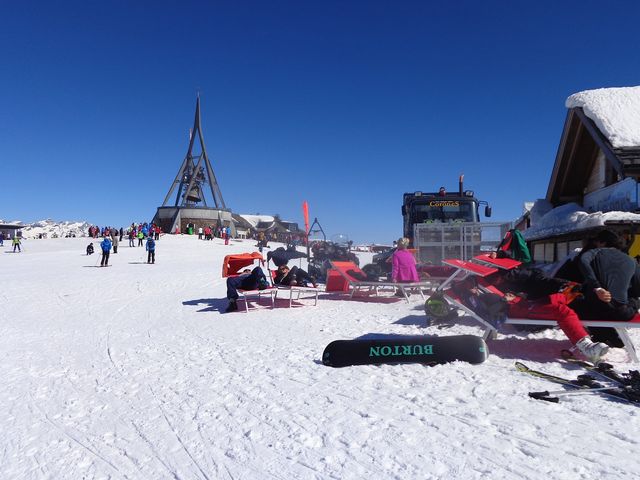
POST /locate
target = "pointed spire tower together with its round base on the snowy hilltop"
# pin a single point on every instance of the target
(198, 199)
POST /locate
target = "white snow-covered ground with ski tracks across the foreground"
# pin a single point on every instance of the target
(132, 372)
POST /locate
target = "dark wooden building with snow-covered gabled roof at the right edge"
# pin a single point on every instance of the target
(594, 170)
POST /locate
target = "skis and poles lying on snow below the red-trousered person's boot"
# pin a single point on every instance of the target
(602, 379)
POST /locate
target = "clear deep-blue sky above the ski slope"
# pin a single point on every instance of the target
(344, 104)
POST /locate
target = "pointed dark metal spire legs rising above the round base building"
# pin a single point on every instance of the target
(195, 173)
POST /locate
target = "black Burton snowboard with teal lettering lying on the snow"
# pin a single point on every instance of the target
(402, 349)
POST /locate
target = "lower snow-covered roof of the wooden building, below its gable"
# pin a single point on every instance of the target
(571, 218)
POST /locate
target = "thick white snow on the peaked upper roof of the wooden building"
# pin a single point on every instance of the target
(615, 111)
